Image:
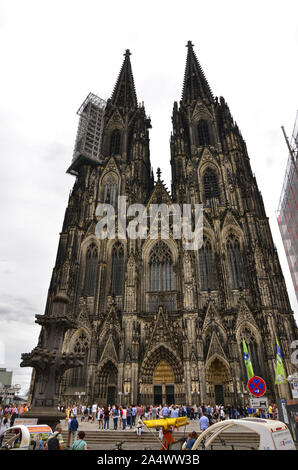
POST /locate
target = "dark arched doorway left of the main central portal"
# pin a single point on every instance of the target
(106, 384)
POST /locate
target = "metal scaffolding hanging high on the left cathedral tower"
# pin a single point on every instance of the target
(89, 134)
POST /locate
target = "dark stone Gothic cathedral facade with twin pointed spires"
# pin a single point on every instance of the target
(154, 322)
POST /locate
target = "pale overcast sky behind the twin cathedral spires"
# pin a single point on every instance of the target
(53, 53)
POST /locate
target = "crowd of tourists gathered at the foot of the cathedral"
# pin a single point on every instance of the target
(130, 417)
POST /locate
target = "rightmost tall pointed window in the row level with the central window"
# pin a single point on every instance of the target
(235, 262)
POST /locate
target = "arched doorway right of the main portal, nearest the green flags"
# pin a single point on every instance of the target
(218, 382)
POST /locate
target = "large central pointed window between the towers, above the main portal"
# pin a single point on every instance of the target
(161, 268)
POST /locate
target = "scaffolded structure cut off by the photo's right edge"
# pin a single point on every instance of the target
(287, 215)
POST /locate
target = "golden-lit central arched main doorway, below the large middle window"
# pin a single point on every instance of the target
(163, 384)
